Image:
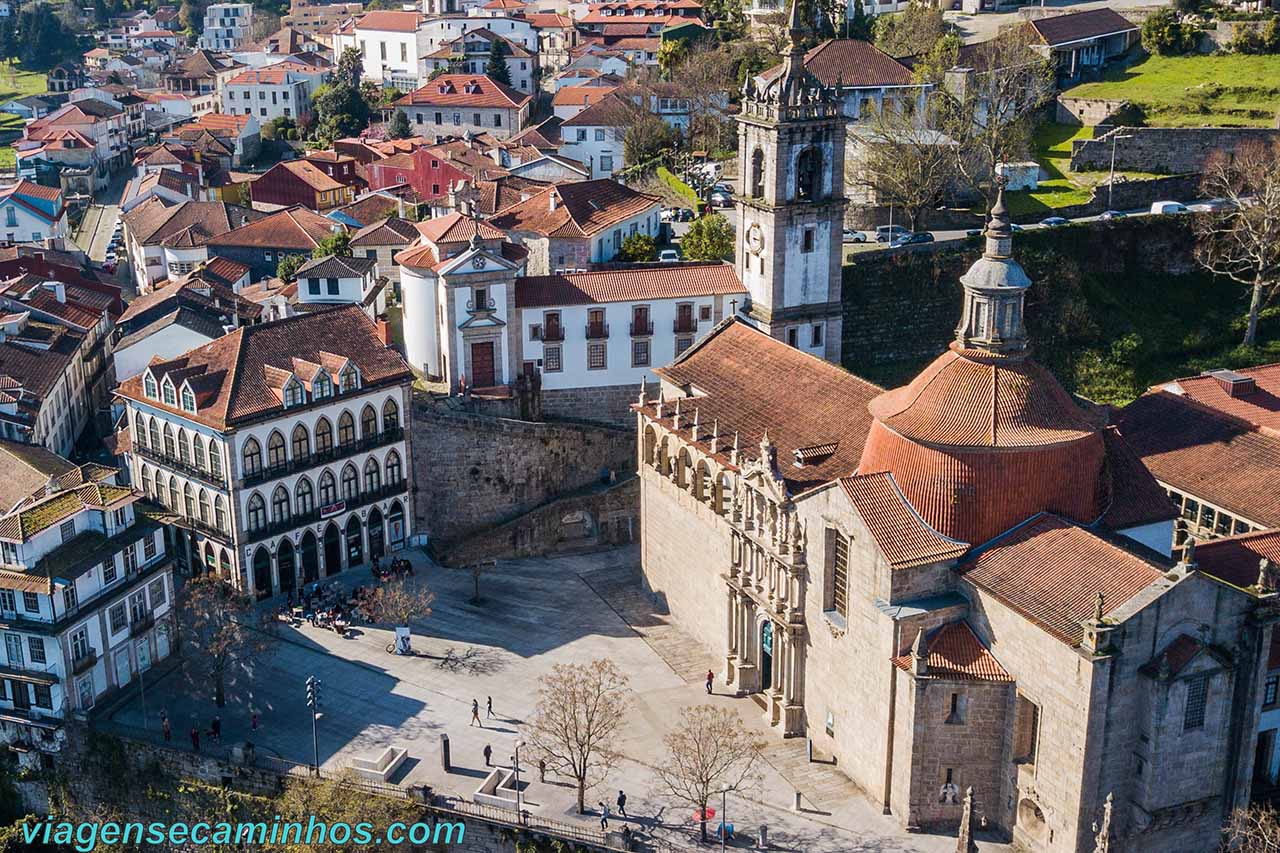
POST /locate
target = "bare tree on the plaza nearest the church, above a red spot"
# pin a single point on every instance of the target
(708, 752)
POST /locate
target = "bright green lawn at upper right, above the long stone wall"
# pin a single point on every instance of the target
(1196, 92)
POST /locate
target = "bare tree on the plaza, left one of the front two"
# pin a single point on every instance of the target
(580, 710)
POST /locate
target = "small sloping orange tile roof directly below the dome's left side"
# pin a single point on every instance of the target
(900, 533)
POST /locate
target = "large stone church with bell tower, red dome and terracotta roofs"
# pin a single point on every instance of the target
(963, 583)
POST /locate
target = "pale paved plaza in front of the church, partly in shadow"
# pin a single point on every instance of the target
(534, 614)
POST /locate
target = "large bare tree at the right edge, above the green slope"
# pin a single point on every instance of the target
(1244, 243)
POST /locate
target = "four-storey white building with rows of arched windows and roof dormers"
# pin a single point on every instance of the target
(280, 450)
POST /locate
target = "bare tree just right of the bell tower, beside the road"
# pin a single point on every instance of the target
(900, 162)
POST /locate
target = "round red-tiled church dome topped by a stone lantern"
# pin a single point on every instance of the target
(985, 437)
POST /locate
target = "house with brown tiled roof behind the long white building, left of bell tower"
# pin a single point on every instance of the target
(573, 226)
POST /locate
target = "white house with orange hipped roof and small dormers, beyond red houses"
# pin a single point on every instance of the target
(465, 103)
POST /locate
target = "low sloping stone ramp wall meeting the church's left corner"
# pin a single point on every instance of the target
(597, 517)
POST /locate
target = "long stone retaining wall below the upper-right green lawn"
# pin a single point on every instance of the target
(1165, 150)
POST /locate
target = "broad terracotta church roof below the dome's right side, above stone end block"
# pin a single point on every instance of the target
(1052, 571)
